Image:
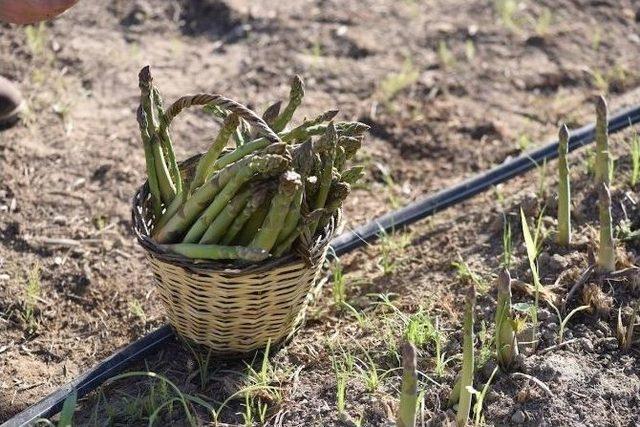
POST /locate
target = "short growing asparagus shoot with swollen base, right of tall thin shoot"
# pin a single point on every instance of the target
(505, 338)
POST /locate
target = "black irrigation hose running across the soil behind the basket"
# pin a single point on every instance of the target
(342, 244)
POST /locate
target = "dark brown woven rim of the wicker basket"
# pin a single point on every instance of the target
(141, 229)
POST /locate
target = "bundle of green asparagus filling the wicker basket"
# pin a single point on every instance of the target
(276, 190)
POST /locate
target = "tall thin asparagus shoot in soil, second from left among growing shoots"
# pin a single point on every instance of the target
(466, 379)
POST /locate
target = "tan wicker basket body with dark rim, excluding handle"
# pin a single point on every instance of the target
(231, 310)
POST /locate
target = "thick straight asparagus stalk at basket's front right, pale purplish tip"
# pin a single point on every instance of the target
(267, 235)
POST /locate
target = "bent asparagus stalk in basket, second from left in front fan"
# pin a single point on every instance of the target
(221, 199)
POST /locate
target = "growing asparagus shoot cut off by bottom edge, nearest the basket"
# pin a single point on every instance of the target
(409, 390)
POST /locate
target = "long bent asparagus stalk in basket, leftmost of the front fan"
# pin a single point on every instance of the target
(202, 197)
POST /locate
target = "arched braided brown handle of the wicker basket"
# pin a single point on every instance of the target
(225, 103)
